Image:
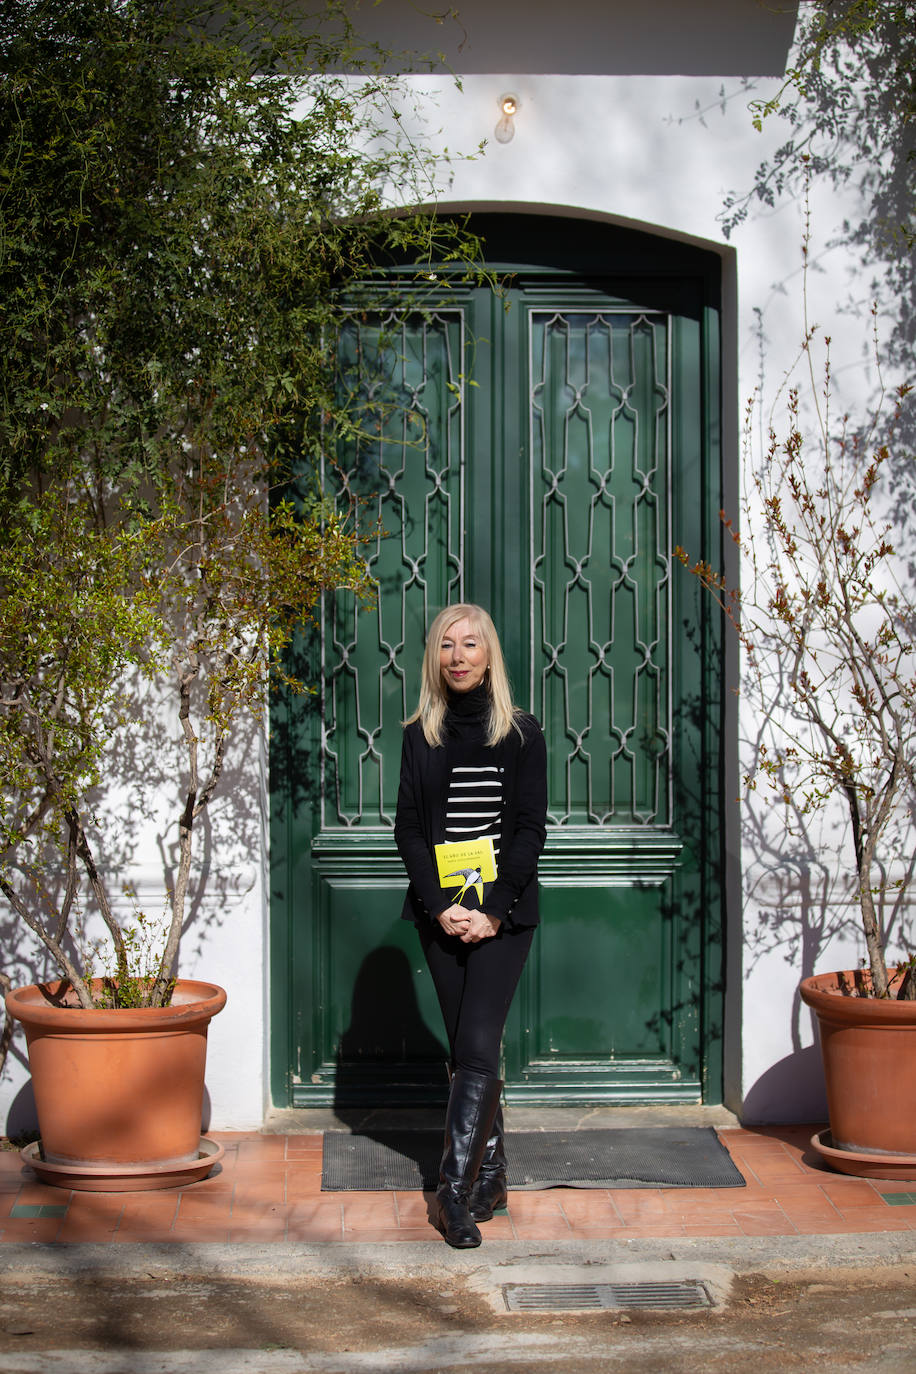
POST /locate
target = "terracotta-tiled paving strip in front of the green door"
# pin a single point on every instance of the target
(268, 1189)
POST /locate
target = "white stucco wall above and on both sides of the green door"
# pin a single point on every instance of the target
(661, 152)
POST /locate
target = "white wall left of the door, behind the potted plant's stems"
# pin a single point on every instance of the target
(226, 938)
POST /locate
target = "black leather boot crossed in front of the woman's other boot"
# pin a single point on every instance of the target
(473, 1104)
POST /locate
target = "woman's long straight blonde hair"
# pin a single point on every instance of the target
(433, 703)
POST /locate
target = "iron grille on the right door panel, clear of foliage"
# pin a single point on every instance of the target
(601, 570)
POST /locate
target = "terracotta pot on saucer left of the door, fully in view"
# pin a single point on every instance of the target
(119, 1093)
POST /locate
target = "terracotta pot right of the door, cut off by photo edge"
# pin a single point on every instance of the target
(869, 1046)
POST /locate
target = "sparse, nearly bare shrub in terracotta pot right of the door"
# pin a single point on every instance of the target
(827, 613)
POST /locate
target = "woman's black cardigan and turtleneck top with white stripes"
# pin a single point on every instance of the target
(425, 813)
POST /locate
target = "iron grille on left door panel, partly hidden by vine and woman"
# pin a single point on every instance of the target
(407, 472)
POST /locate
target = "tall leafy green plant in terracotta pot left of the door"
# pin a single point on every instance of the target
(171, 273)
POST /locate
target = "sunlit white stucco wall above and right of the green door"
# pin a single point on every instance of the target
(663, 152)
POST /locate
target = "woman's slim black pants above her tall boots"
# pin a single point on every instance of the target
(476, 984)
